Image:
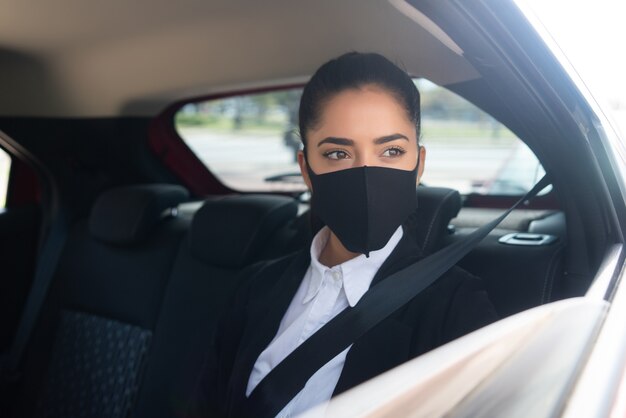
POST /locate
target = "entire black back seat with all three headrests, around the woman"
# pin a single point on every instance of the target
(138, 291)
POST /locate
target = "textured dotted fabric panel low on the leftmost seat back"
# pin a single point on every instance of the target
(95, 368)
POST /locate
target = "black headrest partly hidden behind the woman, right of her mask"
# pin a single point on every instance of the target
(436, 206)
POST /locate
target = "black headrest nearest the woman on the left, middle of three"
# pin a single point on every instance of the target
(230, 231)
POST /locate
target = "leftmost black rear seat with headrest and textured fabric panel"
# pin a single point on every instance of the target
(95, 328)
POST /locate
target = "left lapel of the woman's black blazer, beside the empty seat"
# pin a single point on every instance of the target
(263, 322)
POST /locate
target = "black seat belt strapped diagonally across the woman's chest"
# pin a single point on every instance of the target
(289, 377)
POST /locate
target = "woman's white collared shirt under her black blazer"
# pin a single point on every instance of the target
(323, 293)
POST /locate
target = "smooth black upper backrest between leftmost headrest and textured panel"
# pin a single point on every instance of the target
(122, 282)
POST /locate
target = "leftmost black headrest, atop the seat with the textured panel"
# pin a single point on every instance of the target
(125, 215)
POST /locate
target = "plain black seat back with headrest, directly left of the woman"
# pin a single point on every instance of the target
(225, 235)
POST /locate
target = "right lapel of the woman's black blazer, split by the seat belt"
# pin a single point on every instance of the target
(373, 354)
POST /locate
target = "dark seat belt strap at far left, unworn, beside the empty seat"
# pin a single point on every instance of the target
(46, 267)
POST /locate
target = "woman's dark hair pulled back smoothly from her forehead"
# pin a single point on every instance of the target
(352, 71)
